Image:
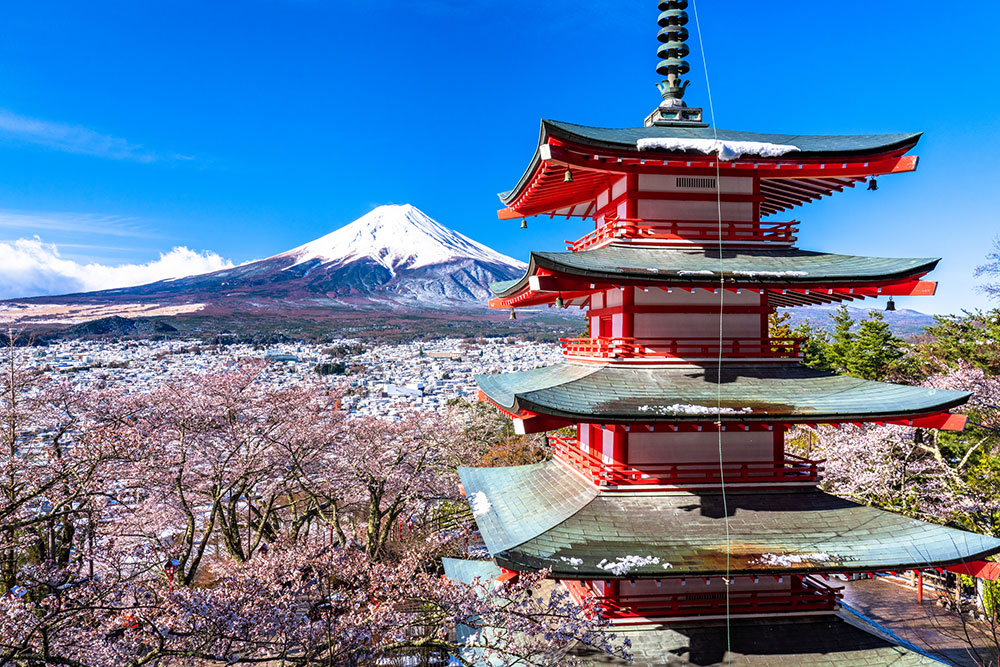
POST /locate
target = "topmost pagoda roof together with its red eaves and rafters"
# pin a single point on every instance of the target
(852, 158)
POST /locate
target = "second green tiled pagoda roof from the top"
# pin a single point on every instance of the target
(652, 266)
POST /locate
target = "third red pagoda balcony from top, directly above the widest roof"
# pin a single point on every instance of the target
(793, 470)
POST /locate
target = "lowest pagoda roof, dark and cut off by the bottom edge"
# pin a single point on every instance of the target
(829, 641)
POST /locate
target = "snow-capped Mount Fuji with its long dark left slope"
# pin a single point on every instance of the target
(394, 258)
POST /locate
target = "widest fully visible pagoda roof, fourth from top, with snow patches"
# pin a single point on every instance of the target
(544, 516)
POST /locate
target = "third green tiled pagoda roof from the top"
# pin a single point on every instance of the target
(596, 392)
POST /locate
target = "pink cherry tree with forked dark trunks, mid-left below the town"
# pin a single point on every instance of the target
(213, 459)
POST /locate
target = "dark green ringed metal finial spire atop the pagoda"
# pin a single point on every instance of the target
(672, 51)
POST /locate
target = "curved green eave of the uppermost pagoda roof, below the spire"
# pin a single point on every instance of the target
(622, 141)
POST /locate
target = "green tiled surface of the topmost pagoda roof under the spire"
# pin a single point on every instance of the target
(810, 146)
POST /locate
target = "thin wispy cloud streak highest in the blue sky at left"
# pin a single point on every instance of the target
(75, 139)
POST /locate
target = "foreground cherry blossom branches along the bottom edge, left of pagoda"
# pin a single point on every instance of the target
(303, 606)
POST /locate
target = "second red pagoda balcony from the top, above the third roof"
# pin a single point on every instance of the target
(681, 350)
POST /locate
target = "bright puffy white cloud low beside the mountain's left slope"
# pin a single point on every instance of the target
(30, 267)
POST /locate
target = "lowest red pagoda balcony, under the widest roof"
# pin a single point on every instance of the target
(812, 596)
